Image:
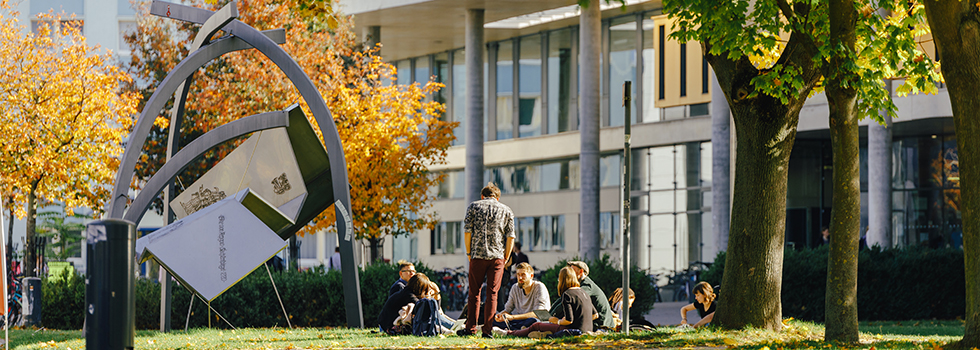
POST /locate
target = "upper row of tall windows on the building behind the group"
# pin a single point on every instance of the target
(531, 82)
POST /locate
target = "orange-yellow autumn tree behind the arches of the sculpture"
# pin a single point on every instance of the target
(391, 133)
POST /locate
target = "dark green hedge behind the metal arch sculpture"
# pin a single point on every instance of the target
(313, 298)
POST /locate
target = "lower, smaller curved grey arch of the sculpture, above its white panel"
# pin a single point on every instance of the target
(195, 149)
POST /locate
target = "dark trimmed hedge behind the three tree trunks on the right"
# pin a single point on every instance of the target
(893, 284)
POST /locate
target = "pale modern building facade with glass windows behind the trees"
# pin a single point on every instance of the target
(532, 140)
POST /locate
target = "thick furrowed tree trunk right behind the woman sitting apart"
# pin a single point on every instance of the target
(766, 131)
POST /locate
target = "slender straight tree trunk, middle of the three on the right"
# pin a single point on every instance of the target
(845, 217)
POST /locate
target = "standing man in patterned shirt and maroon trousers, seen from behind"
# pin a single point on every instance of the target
(489, 237)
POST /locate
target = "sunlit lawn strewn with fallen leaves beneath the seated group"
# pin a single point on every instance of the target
(796, 335)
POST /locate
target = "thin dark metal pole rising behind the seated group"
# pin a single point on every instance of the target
(627, 159)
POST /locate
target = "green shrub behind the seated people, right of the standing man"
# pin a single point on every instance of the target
(608, 278)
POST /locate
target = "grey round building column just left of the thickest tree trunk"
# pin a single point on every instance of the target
(721, 188)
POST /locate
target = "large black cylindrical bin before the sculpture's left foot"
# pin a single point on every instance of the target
(109, 286)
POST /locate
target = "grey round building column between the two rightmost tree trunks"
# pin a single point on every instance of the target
(880, 181)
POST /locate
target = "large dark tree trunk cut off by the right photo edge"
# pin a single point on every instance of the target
(956, 30)
